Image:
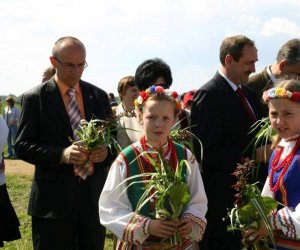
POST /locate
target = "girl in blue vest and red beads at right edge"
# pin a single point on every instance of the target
(283, 182)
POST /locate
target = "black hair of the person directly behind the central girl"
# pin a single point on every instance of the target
(150, 70)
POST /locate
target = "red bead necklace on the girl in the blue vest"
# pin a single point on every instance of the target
(284, 165)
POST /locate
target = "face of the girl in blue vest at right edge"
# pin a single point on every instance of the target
(285, 117)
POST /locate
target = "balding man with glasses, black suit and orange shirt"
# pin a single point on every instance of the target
(64, 207)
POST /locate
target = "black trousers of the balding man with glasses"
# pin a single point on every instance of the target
(81, 233)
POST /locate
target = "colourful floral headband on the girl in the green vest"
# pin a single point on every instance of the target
(144, 95)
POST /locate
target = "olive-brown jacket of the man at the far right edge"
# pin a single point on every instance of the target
(259, 83)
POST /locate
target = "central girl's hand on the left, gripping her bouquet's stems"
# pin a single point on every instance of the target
(162, 228)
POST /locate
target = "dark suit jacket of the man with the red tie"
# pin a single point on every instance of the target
(220, 121)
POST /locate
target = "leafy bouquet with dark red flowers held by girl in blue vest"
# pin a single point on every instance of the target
(250, 208)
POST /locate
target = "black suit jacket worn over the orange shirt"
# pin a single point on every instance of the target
(43, 133)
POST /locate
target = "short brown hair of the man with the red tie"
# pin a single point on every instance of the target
(234, 46)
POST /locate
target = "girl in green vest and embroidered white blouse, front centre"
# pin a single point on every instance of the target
(157, 109)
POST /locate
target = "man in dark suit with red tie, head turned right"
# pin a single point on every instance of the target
(220, 119)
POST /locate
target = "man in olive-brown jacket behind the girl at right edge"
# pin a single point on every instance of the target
(287, 64)
